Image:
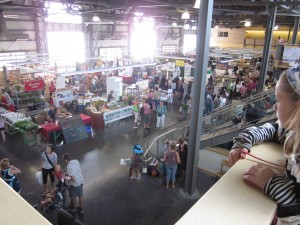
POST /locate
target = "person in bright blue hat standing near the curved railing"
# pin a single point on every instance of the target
(137, 163)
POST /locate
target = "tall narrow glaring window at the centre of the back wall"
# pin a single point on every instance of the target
(143, 40)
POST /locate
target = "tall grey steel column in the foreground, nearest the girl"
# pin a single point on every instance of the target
(202, 51)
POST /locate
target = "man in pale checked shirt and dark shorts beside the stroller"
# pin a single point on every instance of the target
(75, 177)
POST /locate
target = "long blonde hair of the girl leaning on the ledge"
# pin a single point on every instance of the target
(292, 142)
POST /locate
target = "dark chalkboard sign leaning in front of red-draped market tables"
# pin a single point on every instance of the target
(73, 129)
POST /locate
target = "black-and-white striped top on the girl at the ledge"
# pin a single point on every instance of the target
(284, 189)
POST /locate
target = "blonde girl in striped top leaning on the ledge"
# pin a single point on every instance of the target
(284, 189)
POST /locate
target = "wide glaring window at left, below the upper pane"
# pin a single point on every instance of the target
(66, 47)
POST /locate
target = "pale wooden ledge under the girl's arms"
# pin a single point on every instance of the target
(231, 201)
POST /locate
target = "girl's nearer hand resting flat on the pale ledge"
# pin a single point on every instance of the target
(258, 175)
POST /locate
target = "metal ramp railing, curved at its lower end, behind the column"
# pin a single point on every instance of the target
(219, 126)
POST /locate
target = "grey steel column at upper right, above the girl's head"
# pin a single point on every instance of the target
(272, 10)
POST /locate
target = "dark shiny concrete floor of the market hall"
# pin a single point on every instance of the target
(110, 198)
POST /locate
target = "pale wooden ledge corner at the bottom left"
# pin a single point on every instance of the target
(15, 210)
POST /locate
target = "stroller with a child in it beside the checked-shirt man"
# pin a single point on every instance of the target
(55, 199)
